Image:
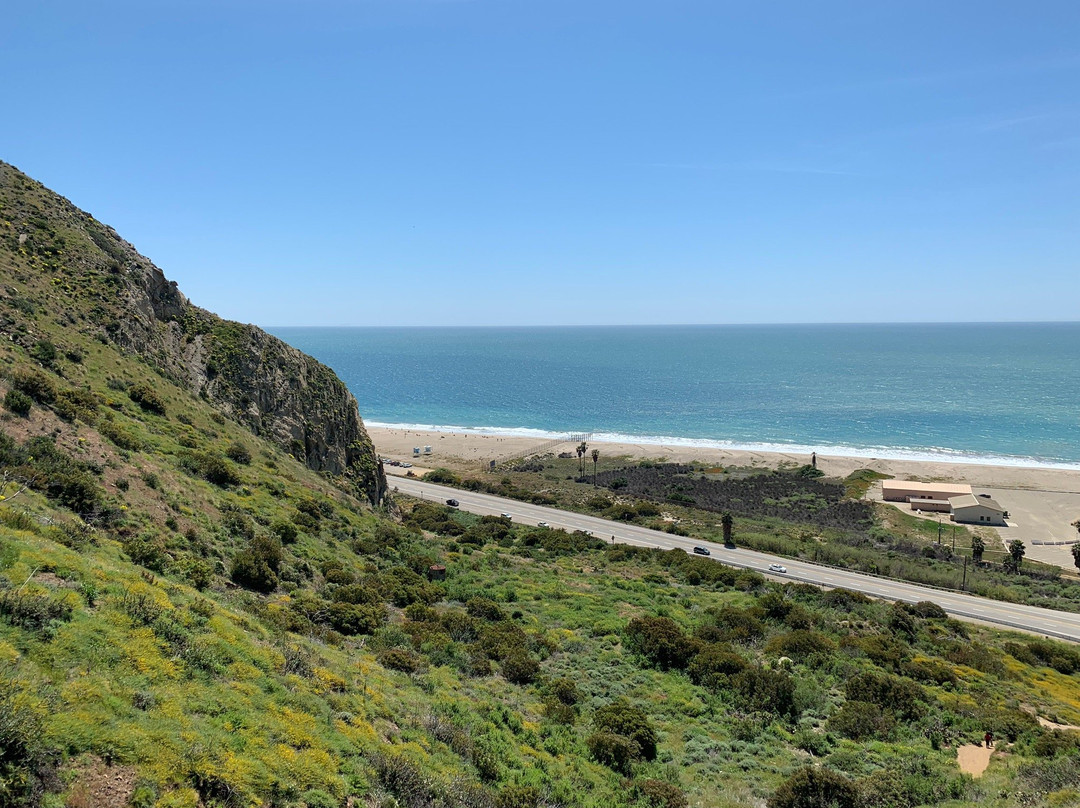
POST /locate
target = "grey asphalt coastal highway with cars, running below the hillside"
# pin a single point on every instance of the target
(1061, 625)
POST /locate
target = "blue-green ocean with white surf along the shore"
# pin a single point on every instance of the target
(1007, 394)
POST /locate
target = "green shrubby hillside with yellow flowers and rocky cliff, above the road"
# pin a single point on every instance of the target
(208, 600)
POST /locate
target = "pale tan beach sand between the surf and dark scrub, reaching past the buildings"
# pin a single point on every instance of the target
(1045, 504)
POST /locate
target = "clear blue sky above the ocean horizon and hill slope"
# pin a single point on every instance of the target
(369, 163)
